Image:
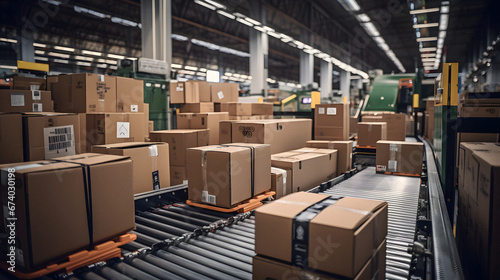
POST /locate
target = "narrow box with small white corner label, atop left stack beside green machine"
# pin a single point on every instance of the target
(129, 95)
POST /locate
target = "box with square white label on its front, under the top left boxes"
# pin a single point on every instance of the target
(110, 128)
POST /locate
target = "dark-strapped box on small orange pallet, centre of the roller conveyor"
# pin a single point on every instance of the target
(207, 166)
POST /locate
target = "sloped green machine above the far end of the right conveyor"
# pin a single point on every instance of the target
(393, 93)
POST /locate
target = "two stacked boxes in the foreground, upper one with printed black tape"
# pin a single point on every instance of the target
(320, 237)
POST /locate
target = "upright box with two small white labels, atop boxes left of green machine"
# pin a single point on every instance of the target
(331, 122)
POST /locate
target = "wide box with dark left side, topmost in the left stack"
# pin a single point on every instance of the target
(85, 93)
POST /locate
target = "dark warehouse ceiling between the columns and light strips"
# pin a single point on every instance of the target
(111, 26)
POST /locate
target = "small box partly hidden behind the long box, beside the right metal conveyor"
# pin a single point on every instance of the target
(344, 148)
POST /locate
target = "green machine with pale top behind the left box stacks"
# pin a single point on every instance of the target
(156, 91)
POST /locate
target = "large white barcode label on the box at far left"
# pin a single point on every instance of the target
(59, 141)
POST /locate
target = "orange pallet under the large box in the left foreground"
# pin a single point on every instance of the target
(102, 252)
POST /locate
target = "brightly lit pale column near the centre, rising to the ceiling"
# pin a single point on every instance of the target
(258, 51)
